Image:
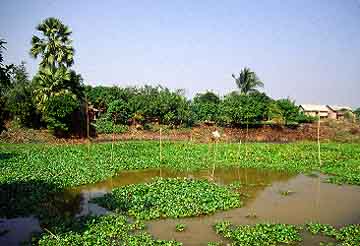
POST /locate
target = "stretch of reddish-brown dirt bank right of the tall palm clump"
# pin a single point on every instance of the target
(336, 131)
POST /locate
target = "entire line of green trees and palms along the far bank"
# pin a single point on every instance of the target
(57, 99)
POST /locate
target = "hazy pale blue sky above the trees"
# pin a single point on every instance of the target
(303, 49)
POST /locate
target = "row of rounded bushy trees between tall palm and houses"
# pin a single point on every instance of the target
(156, 104)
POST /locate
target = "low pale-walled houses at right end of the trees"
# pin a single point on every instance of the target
(327, 111)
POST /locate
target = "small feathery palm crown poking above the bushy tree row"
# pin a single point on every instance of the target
(247, 81)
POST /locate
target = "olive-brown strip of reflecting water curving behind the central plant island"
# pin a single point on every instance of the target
(254, 180)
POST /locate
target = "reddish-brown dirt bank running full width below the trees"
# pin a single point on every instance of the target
(329, 130)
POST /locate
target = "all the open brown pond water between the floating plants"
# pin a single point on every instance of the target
(270, 196)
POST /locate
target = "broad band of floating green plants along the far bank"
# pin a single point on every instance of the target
(72, 165)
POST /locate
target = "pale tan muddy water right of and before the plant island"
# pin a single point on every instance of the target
(310, 200)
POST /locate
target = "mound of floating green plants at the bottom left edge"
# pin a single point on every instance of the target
(105, 230)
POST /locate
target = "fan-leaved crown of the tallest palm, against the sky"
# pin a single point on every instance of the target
(55, 46)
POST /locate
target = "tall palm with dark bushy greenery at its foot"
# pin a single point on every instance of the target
(55, 81)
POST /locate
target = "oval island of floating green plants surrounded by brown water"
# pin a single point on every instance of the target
(170, 197)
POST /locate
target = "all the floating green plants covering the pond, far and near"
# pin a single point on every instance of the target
(32, 176)
